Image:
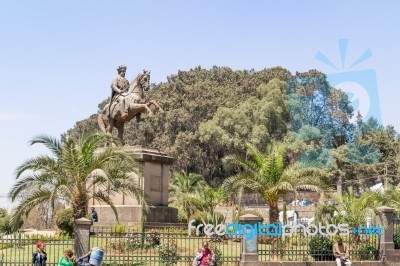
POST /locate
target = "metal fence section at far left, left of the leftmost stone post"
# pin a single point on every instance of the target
(17, 249)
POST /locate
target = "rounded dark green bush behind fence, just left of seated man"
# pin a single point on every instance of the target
(321, 248)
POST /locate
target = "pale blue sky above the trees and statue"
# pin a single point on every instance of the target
(57, 58)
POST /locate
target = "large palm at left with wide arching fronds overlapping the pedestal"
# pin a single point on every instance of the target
(76, 171)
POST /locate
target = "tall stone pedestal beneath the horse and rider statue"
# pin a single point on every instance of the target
(154, 167)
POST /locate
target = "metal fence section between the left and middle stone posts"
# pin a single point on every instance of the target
(167, 246)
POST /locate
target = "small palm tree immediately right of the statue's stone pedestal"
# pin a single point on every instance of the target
(184, 190)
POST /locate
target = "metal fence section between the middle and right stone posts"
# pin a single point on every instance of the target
(300, 247)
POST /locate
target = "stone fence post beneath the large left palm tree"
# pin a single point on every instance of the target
(81, 236)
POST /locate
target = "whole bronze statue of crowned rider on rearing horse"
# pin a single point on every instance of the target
(127, 102)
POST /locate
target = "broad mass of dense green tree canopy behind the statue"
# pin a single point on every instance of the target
(210, 114)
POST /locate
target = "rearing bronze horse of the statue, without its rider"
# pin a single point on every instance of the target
(111, 115)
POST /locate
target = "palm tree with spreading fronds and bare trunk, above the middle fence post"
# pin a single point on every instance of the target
(266, 174)
